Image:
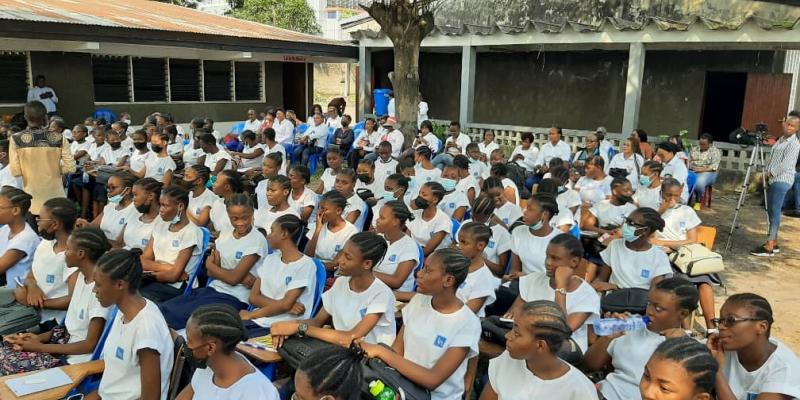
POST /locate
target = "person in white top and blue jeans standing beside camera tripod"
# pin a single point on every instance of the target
(780, 174)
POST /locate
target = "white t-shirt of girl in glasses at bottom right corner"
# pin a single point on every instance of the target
(779, 374)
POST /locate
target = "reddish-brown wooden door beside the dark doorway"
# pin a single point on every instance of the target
(766, 100)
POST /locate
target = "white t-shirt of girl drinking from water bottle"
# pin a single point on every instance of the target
(629, 354)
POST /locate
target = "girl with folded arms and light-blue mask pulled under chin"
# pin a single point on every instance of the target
(171, 255)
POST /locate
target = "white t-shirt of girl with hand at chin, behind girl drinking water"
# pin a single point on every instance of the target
(584, 299)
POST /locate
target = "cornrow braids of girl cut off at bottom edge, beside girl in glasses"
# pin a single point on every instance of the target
(695, 357)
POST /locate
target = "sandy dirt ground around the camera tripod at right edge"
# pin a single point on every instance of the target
(774, 278)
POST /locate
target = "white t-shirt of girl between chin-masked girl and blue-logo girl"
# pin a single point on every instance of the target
(231, 252)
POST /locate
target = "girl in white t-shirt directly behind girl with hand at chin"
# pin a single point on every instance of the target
(529, 240)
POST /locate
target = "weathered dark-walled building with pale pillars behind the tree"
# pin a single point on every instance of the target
(662, 65)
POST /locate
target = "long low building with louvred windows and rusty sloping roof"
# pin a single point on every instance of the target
(141, 56)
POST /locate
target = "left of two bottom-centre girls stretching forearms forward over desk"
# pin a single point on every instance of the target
(358, 304)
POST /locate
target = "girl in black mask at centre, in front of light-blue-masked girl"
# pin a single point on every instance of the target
(431, 228)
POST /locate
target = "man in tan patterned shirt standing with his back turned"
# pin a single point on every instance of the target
(40, 157)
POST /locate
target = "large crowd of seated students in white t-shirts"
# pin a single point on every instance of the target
(443, 230)
